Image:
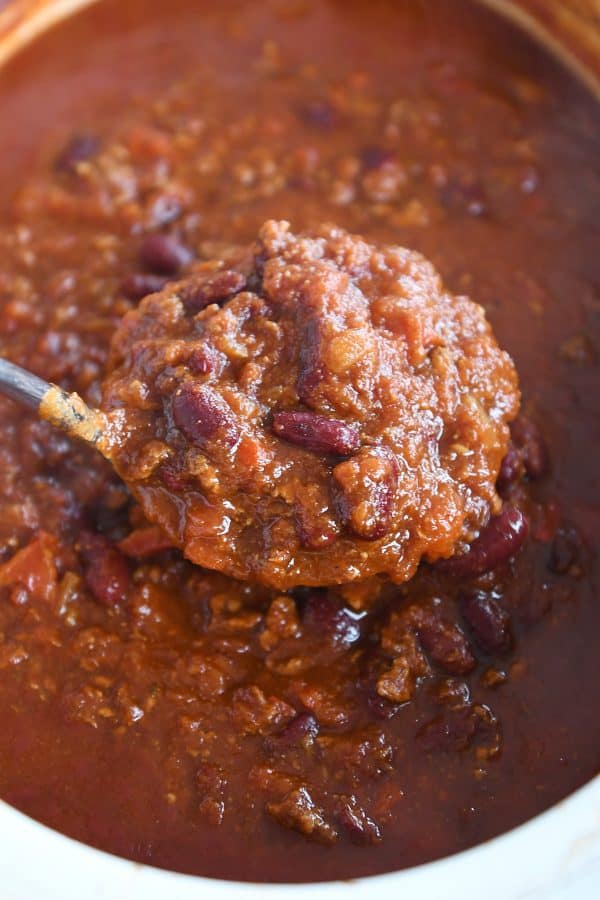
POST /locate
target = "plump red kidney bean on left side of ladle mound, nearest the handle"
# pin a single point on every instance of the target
(201, 414)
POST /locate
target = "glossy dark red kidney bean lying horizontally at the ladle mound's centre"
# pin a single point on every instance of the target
(315, 432)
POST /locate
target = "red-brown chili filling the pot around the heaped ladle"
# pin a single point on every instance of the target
(124, 699)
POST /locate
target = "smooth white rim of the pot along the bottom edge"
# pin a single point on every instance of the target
(551, 850)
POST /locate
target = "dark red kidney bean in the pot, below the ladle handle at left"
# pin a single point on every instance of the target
(106, 572)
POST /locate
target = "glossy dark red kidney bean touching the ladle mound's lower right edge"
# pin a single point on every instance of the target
(498, 542)
